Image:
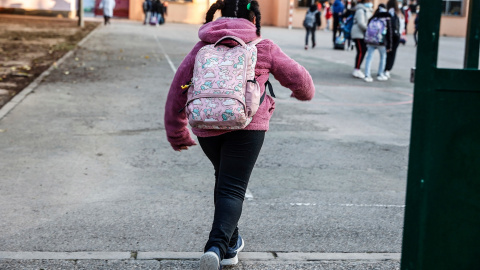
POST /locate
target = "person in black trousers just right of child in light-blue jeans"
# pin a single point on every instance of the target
(398, 26)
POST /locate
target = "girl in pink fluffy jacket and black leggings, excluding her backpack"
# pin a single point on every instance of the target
(232, 153)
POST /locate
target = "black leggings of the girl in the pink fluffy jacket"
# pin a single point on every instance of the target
(233, 156)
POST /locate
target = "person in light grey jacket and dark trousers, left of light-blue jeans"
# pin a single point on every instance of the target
(363, 12)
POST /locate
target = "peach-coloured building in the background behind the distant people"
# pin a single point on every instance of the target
(280, 13)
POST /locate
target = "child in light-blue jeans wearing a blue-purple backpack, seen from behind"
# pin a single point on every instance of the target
(379, 35)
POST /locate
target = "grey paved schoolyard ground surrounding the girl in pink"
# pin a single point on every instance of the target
(86, 166)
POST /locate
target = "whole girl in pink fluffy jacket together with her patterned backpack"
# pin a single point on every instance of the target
(219, 89)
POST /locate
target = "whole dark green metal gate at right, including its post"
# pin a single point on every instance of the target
(442, 215)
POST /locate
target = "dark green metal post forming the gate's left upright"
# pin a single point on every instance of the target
(415, 212)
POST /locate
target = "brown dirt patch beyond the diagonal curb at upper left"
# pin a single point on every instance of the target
(29, 45)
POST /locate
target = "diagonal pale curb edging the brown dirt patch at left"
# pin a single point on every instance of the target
(10, 105)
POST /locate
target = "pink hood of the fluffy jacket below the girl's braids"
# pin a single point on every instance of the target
(242, 28)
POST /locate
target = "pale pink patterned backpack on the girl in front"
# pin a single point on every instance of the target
(224, 93)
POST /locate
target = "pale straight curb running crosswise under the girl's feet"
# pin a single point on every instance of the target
(248, 256)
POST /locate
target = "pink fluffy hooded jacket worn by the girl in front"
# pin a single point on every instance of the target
(271, 59)
